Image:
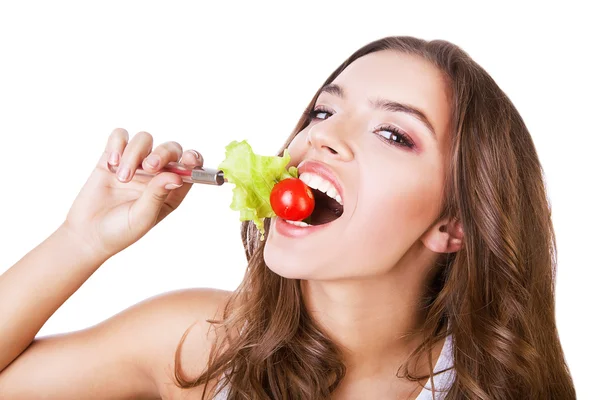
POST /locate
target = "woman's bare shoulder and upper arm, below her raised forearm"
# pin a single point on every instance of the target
(130, 355)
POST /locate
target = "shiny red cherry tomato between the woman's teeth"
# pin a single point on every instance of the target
(292, 199)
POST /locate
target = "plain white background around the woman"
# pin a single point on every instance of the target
(205, 75)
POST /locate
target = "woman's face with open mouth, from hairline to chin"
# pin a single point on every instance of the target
(392, 191)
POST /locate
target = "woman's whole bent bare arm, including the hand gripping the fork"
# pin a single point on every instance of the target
(115, 359)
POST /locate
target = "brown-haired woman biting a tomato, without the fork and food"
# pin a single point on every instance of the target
(442, 261)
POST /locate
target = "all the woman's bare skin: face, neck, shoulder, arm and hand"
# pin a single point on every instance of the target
(362, 275)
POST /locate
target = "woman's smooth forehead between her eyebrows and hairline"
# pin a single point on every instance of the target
(400, 77)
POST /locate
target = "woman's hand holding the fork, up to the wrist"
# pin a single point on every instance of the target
(113, 211)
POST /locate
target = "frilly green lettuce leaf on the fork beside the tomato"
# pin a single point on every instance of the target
(254, 177)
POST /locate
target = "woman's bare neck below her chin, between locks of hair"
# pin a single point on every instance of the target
(376, 321)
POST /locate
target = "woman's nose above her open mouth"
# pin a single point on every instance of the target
(329, 138)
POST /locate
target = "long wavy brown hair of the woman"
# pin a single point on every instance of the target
(496, 294)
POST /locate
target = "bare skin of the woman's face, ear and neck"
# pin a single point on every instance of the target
(363, 275)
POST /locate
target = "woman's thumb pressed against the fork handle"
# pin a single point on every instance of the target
(146, 208)
